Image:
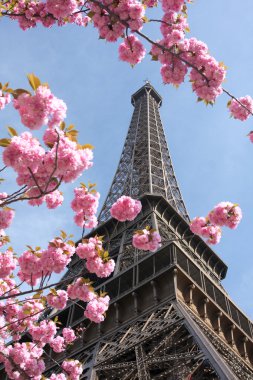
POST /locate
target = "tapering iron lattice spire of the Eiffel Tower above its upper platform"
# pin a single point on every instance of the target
(145, 165)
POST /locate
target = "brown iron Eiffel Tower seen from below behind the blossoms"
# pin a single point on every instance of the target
(169, 316)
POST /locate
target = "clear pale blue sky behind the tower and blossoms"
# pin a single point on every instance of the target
(211, 154)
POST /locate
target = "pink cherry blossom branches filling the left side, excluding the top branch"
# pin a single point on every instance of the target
(40, 168)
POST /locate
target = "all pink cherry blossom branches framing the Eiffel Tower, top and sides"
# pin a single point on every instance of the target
(42, 167)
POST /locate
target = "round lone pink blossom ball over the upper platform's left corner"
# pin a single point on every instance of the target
(125, 208)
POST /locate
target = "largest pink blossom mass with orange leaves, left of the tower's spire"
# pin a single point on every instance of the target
(40, 170)
